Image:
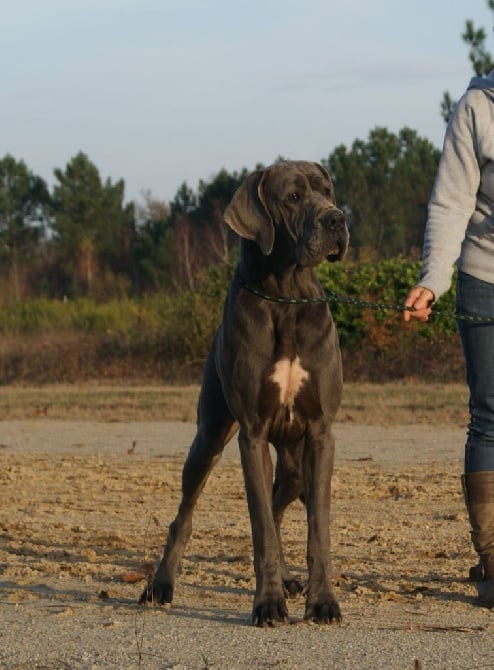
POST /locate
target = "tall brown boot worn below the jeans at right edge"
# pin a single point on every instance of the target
(478, 488)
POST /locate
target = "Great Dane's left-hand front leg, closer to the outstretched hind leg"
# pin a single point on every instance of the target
(269, 602)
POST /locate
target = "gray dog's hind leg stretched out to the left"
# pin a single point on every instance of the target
(215, 427)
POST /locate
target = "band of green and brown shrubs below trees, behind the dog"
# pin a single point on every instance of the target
(168, 334)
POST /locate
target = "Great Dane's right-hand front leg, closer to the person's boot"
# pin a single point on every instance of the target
(321, 605)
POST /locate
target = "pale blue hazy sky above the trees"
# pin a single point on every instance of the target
(161, 92)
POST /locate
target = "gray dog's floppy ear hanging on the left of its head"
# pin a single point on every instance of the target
(247, 214)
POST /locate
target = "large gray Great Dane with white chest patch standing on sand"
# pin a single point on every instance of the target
(274, 374)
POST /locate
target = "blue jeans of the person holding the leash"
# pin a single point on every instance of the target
(476, 297)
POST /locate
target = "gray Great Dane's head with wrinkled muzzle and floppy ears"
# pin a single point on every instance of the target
(290, 203)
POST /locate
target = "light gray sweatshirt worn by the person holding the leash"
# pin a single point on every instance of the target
(460, 223)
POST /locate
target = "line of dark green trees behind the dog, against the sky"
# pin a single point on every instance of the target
(80, 238)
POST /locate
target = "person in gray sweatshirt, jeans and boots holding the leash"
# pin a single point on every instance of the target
(460, 230)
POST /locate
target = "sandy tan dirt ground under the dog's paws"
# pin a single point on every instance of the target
(84, 505)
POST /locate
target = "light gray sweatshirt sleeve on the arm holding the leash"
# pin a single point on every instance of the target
(453, 198)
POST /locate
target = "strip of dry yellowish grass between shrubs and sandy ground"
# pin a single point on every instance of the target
(385, 404)
